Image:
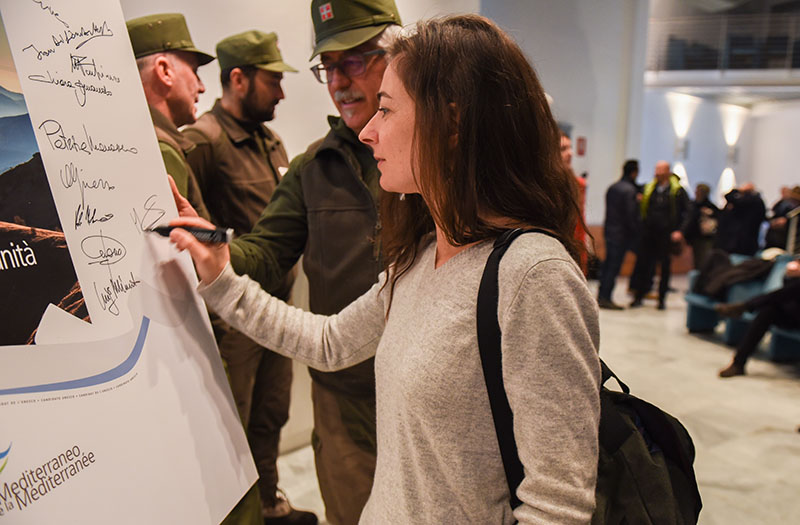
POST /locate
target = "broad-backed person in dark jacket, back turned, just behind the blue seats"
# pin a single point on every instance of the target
(740, 221)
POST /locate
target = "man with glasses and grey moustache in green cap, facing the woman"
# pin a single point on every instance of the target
(325, 209)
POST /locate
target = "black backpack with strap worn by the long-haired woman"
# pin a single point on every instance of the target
(645, 474)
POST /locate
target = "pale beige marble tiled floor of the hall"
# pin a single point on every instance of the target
(744, 428)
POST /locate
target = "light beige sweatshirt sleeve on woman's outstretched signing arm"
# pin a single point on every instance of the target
(326, 343)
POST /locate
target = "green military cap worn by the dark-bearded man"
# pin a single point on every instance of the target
(252, 48)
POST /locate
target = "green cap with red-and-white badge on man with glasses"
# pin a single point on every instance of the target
(345, 24)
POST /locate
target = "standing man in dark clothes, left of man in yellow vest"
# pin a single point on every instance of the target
(620, 230)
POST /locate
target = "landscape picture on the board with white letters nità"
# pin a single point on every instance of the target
(35, 265)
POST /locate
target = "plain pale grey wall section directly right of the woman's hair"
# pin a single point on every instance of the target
(590, 59)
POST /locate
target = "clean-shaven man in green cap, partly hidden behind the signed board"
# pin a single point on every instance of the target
(168, 62)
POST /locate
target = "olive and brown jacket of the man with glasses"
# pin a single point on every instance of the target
(325, 209)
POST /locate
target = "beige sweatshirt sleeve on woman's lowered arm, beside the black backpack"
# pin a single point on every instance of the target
(551, 373)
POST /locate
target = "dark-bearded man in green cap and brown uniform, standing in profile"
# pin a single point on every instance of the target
(238, 161)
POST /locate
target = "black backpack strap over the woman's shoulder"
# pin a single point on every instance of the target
(491, 360)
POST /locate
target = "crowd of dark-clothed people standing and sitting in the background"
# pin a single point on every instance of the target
(657, 221)
